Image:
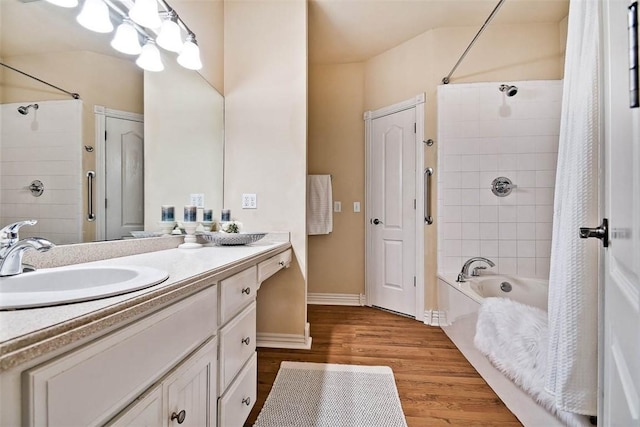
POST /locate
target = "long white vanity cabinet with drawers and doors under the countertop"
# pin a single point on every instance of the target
(184, 356)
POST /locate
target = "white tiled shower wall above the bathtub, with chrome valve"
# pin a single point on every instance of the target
(483, 134)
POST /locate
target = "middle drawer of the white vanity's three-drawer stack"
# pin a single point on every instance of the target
(237, 344)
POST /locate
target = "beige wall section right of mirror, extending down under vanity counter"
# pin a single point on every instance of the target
(265, 69)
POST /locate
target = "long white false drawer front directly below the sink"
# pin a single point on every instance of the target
(91, 384)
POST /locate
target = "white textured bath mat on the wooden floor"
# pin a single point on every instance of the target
(319, 395)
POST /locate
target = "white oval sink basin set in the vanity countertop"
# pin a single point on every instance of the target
(54, 286)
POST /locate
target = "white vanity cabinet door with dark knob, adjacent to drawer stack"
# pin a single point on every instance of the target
(191, 391)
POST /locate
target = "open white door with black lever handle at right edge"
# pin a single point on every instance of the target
(621, 327)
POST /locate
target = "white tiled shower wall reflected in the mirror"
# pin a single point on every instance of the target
(45, 145)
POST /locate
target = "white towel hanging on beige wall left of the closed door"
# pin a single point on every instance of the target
(319, 201)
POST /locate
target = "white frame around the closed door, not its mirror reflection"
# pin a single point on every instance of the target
(417, 103)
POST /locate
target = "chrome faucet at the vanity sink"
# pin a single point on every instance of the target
(12, 248)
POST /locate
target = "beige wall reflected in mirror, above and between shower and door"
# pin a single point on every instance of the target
(87, 73)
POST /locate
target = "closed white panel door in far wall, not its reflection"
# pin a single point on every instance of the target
(392, 216)
